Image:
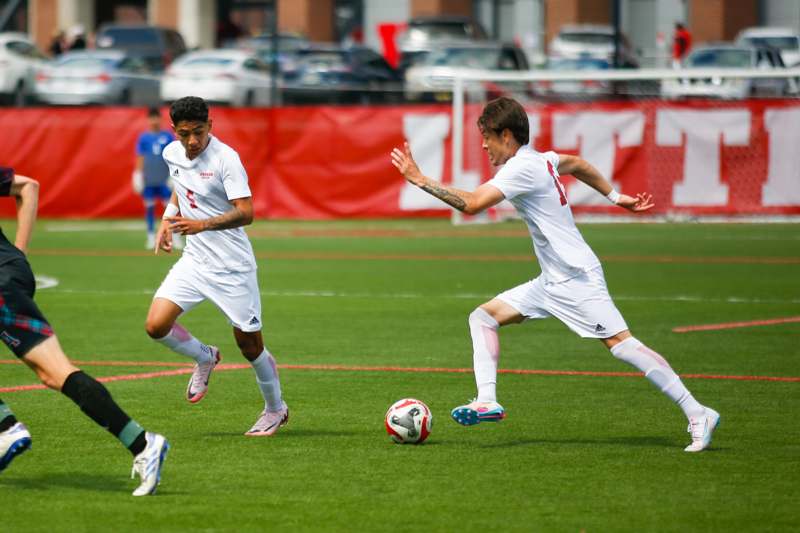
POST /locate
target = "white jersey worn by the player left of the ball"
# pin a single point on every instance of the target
(204, 187)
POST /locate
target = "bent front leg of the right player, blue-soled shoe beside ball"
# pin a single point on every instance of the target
(510, 307)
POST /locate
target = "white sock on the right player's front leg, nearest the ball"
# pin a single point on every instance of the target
(486, 352)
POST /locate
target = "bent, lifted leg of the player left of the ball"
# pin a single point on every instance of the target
(178, 293)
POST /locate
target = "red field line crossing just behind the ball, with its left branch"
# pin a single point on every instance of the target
(358, 368)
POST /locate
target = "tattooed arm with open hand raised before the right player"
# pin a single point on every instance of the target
(467, 202)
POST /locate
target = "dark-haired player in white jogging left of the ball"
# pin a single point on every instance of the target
(210, 204)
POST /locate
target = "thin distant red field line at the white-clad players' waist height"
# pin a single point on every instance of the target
(347, 256)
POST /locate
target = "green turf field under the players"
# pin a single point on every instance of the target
(576, 453)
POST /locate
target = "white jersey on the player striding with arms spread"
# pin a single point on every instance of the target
(529, 180)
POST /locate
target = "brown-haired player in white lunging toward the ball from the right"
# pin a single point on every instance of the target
(571, 286)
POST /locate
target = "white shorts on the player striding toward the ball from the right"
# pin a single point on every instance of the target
(582, 303)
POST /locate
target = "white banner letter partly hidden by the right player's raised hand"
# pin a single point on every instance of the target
(426, 136)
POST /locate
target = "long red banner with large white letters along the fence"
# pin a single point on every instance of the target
(329, 162)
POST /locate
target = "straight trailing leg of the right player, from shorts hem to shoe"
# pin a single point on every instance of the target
(702, 420)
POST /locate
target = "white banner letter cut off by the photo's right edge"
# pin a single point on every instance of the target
(783, 175)
